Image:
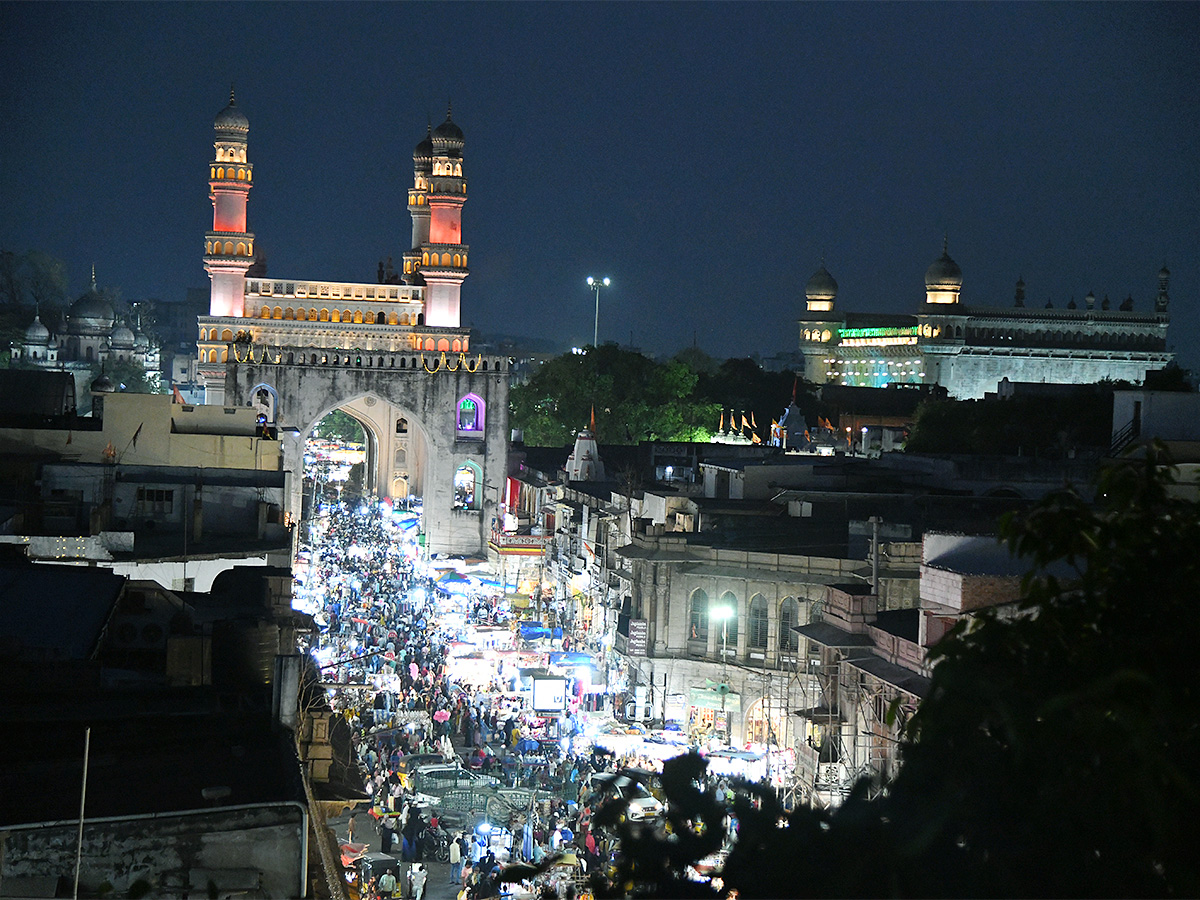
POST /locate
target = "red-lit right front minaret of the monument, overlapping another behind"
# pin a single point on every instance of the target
(443, 256)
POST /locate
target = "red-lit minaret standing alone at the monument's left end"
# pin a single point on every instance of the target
(230, 248)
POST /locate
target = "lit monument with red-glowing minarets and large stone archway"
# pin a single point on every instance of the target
(391, 353)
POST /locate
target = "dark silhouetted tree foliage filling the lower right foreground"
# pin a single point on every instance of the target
(1057, 754)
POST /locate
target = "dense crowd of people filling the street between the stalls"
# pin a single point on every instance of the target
(382, 628)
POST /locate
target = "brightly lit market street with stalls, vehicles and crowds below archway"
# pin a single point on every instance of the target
(481, 751)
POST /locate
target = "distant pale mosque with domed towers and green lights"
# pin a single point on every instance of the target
(969, 350)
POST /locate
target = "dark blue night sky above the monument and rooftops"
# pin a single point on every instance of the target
(706, 158)
